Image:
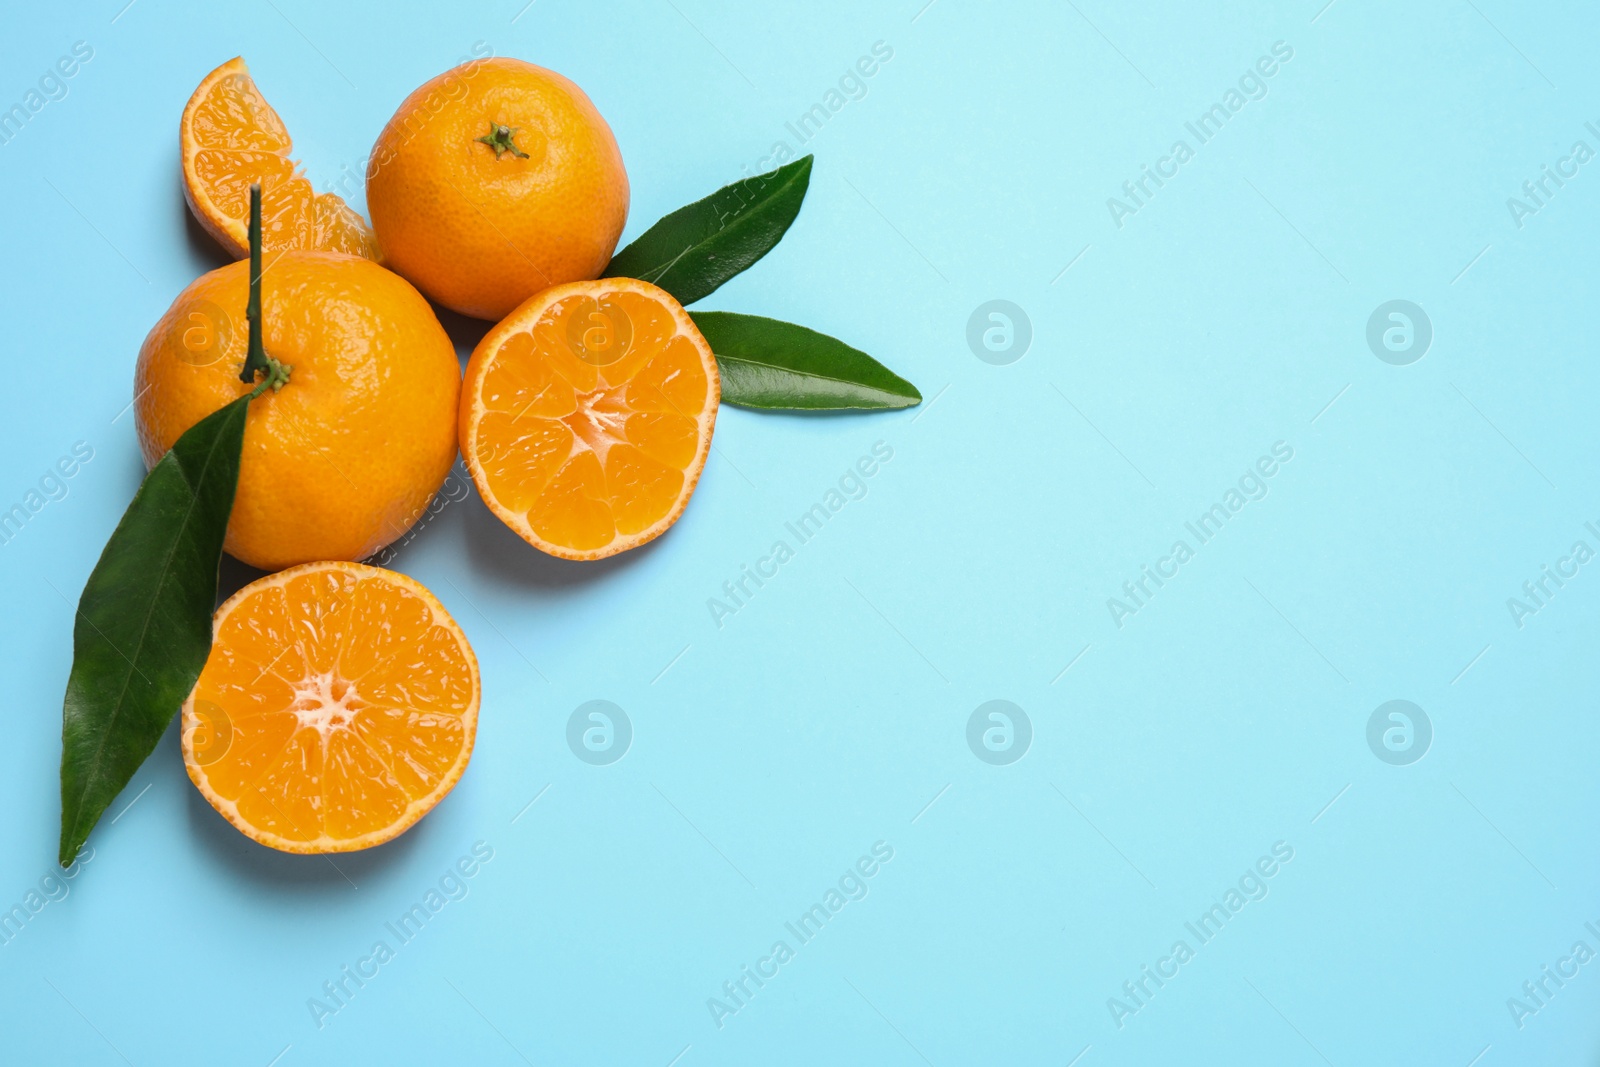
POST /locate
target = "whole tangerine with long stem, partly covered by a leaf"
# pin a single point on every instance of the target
(346, 457)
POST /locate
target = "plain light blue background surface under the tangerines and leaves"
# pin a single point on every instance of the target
(1225, 721)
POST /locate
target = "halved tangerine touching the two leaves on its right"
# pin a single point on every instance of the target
(586, 417)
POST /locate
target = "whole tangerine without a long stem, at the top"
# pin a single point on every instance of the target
(482, 234)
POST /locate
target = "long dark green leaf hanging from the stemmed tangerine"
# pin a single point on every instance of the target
(143, 629)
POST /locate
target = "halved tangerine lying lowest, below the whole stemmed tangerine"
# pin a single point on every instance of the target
(338, 706)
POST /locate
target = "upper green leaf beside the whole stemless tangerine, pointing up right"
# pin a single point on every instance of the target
(692, 252)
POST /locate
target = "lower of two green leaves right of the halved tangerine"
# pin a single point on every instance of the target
(778, 366)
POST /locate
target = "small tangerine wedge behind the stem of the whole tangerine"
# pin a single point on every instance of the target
(231, 138)
